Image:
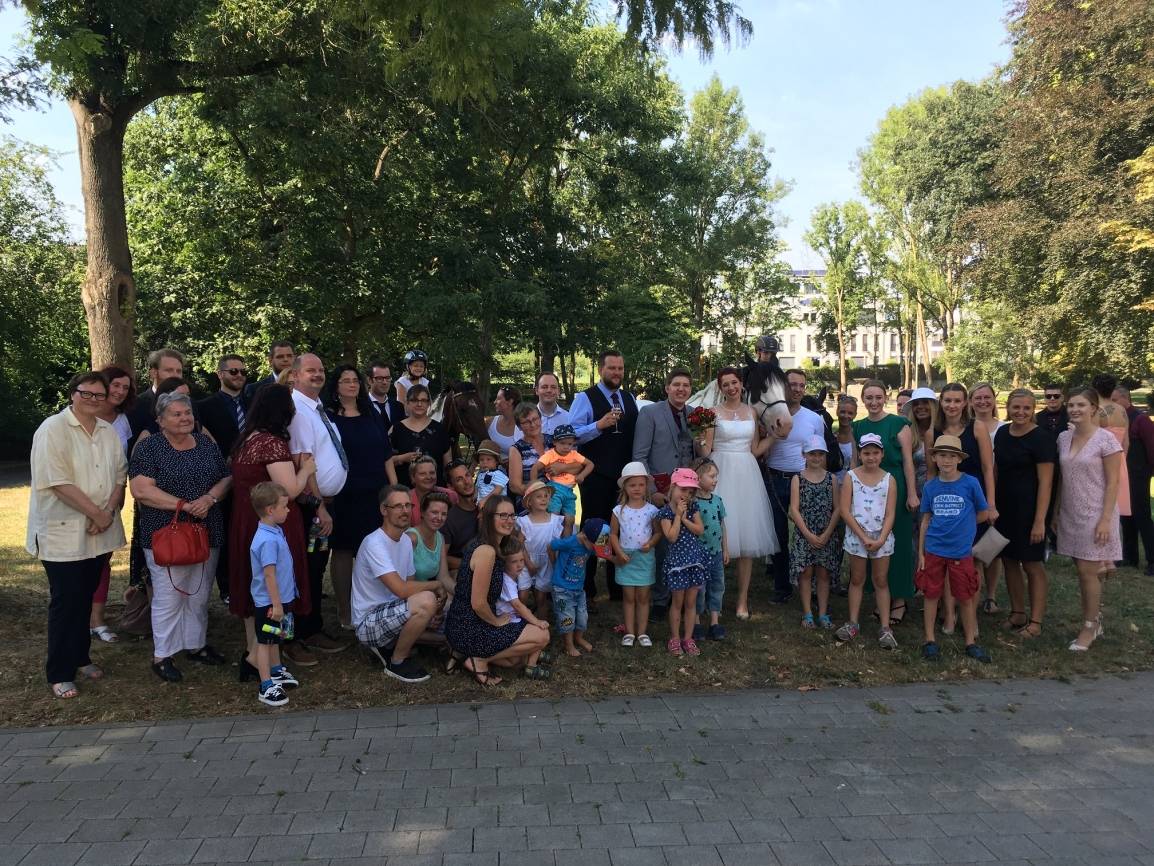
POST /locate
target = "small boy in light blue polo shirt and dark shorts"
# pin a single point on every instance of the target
(274, 589)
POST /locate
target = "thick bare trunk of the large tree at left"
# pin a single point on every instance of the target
(109, 292)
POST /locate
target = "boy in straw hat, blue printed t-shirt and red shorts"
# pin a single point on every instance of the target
(953, 506)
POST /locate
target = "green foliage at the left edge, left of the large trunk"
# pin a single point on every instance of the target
(42, 325)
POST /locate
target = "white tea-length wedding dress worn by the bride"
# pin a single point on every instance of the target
(750, 521)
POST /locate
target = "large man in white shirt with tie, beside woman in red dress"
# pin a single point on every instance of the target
(313, 434)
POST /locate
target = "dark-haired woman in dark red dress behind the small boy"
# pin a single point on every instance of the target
(261, 454)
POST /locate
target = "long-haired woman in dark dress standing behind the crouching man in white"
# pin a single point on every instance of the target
(355, 510)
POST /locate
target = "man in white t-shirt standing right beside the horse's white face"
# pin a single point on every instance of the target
(784, 461)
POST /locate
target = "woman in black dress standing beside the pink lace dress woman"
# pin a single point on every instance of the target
(1025, 456)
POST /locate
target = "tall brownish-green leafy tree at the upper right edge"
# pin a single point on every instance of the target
(1078, 109)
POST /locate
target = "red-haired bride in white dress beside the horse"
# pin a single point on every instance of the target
(736, 446)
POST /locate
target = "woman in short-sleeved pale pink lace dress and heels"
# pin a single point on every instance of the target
(1086, 517)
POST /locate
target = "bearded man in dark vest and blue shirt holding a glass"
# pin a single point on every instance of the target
(604, 417)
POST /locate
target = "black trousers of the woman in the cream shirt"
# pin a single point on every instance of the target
(71, 587)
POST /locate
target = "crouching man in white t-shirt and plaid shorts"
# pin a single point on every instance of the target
(391, 610)
